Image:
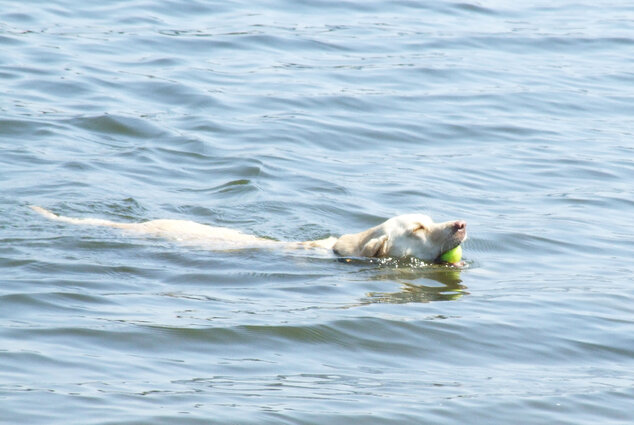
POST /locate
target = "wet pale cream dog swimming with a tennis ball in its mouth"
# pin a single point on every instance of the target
(411, 235)
